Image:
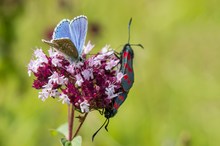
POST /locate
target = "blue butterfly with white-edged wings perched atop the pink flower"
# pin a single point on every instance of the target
(69, 37)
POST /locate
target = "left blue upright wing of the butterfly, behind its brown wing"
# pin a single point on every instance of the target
(62, 30)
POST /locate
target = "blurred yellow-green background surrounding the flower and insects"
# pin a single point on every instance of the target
(175, 98)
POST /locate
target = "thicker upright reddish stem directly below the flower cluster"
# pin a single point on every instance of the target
(70, 121)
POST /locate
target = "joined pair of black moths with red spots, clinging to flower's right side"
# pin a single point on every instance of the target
(126, 61)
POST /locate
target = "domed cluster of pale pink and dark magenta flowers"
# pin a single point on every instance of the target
(88, 84)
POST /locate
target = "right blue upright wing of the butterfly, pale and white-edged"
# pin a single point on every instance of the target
(78, 30)
